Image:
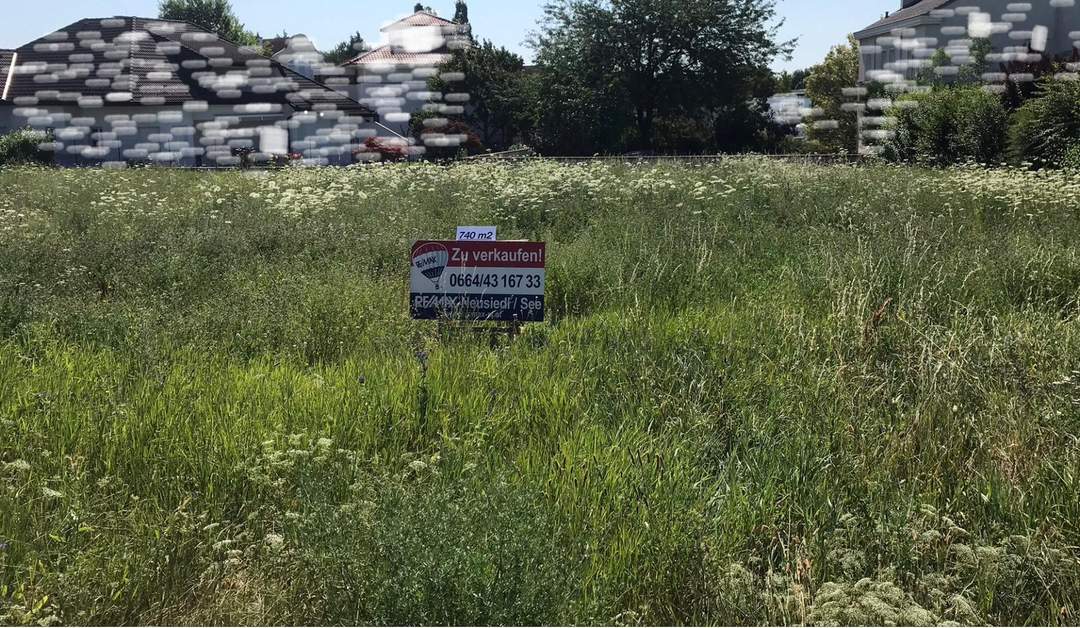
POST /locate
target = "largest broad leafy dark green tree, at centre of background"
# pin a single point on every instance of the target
(657, 58)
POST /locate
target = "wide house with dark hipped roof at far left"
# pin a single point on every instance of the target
(132, 90)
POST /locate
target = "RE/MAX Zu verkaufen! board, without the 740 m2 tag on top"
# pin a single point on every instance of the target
(479, 282)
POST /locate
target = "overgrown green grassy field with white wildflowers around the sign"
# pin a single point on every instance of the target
(766, 394)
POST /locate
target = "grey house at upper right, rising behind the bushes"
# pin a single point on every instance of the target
(900, 45)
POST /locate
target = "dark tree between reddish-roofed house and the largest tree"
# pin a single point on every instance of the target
(497, 109)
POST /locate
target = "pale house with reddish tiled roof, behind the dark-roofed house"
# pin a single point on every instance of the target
(393, 78)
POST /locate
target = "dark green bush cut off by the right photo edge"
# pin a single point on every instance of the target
(1046, 130)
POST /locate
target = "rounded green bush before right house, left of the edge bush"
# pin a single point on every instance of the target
(949, 126)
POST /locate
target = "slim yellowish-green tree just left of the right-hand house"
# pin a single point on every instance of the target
(839, 130)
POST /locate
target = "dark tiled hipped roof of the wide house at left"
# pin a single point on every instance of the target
(134, 61)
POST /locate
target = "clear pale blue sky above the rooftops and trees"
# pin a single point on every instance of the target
(819, 24)
